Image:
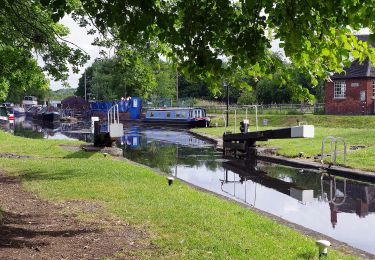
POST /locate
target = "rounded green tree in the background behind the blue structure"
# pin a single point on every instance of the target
(128, 73)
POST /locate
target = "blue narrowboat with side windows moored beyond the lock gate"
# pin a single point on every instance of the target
(190, 117)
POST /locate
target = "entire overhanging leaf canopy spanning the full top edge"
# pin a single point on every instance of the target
(212, 39)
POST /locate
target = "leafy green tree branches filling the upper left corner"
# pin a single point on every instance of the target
(29, 29)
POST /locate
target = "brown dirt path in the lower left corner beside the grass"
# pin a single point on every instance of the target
(35, 229)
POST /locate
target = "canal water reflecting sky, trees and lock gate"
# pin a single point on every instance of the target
(337, 207)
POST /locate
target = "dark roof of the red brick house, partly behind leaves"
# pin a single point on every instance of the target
(358, 70)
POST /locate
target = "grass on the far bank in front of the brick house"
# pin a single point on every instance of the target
(356, 131)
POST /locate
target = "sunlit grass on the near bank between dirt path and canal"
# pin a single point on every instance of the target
(182, 222)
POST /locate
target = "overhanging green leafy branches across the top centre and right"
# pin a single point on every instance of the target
(316, 35)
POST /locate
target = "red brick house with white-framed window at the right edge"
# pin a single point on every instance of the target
(353, 92)
